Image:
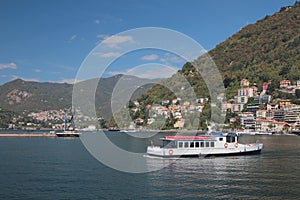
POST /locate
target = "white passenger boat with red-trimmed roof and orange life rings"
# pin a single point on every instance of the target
(216, 144)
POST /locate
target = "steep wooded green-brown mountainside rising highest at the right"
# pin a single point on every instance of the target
(267, 51)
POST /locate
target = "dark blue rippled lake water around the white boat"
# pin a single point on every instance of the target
(58, 168)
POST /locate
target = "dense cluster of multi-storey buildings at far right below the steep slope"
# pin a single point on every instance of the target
(258, 111)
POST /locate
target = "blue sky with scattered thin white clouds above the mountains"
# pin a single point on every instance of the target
(47, 41)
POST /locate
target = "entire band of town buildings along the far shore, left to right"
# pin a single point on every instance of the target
(249, 110)
